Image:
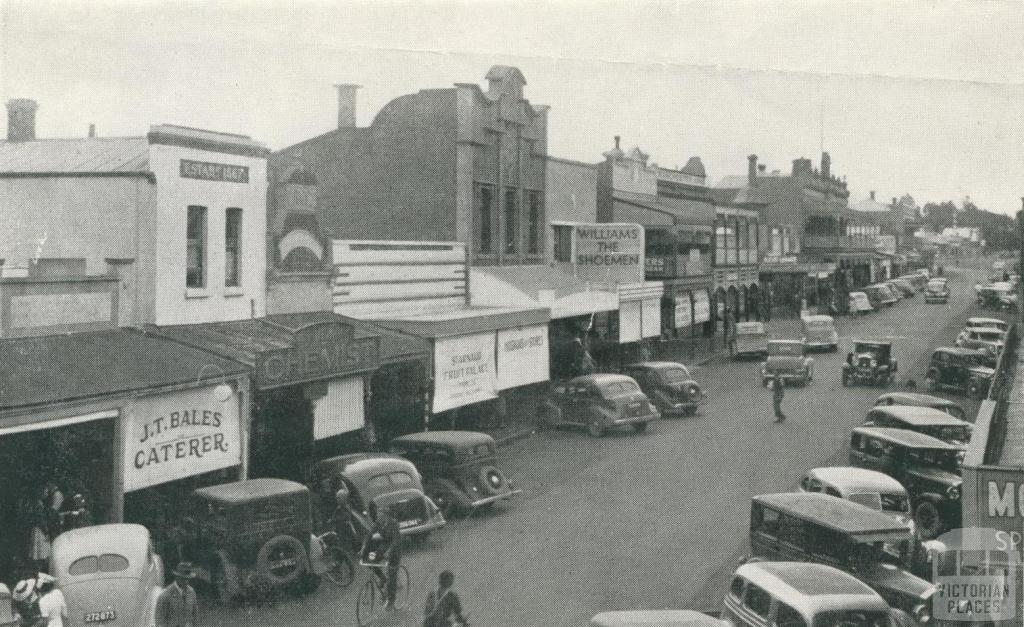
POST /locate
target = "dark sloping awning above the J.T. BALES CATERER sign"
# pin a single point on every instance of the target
(36, 372)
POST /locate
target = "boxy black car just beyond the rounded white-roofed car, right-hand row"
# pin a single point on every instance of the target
(929, 469)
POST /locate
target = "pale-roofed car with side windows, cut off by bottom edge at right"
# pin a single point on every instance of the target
(801, 595)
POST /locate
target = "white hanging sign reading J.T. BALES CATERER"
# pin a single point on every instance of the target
(180, 435)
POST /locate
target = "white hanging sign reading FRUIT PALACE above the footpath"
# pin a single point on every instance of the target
(464, 371)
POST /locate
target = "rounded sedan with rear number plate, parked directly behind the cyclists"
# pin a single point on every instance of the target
(390, 482)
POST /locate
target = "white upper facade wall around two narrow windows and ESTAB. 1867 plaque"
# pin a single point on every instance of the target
(176, 305)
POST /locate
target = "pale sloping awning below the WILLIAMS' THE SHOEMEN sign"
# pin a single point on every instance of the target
(541, 286)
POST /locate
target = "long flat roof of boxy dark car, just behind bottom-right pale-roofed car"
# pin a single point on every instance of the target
(840, 515)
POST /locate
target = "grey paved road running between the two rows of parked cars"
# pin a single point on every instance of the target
(642, 522)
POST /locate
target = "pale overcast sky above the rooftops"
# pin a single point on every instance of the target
(923, 99)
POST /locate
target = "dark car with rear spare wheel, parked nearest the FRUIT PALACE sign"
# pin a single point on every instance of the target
(458, 470)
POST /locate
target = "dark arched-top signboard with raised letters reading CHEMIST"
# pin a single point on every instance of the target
(321, 351)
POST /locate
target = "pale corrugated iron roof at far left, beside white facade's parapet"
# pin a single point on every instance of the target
(78, 155)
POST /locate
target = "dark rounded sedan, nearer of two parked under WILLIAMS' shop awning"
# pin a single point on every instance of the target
(598, 403)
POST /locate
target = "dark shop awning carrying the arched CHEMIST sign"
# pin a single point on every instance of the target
(291, 349)
